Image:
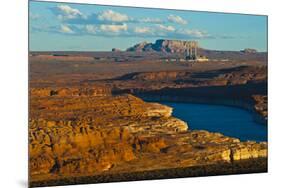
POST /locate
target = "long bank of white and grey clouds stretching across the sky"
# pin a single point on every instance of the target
(112, 23)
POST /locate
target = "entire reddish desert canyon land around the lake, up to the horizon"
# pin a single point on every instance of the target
(89, 119)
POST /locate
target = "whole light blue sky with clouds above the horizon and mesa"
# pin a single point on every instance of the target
(83, 27)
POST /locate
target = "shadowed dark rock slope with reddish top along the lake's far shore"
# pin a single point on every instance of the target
(243, 86)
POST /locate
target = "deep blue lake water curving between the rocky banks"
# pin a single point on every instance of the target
(230, 121)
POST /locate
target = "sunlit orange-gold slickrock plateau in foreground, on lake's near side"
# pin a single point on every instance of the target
(90, 136)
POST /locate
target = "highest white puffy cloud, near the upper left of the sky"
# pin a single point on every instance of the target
(66, 12)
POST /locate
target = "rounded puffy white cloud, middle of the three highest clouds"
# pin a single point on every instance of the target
(110, 15)
